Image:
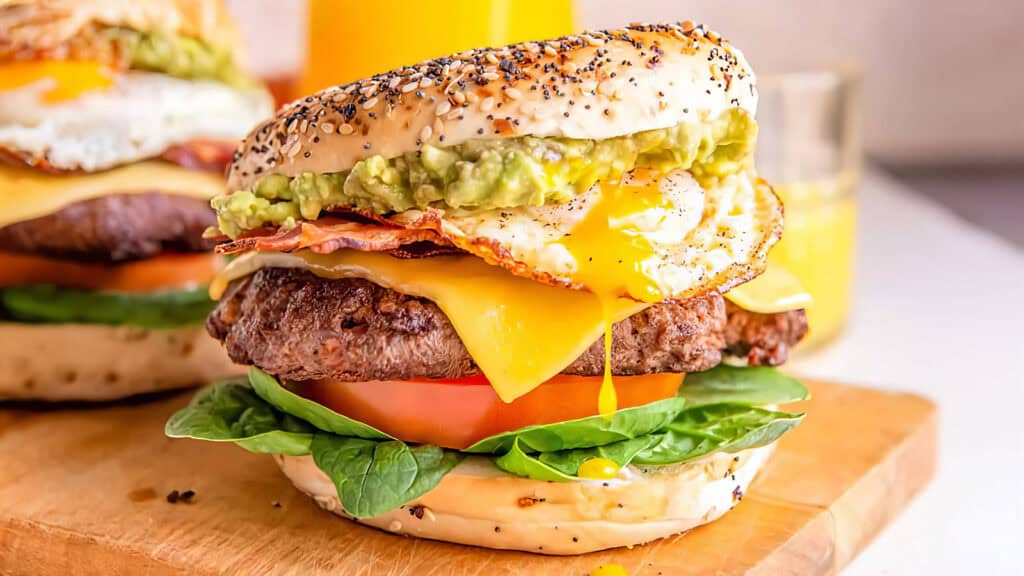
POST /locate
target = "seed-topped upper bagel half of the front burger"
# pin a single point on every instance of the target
(594, 86)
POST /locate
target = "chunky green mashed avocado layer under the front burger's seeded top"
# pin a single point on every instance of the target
(491, 174)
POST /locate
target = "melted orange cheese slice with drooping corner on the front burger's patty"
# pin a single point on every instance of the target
(520, 333)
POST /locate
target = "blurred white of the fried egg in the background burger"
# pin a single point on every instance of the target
(140, 116)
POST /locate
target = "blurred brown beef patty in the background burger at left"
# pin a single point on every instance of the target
(115, 229)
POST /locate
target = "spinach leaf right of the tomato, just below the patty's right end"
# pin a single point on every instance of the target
(759, 386)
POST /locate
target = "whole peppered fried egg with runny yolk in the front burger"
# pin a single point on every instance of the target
(649, 238)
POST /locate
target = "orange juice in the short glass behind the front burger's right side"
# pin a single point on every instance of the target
(819, 248)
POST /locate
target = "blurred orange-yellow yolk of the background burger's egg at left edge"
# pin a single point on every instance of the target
(69, 79)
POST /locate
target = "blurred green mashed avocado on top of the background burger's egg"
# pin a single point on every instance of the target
(177, 56)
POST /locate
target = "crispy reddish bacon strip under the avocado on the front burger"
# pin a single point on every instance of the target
(327, 235)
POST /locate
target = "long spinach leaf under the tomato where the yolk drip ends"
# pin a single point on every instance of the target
(585, 433)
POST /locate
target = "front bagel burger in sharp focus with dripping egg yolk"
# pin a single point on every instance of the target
(513, 298)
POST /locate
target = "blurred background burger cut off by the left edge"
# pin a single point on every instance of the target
(117, 122)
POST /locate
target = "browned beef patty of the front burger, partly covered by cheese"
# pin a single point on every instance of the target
(302, 327)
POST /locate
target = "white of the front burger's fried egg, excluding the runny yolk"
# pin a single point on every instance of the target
(705, 239)
